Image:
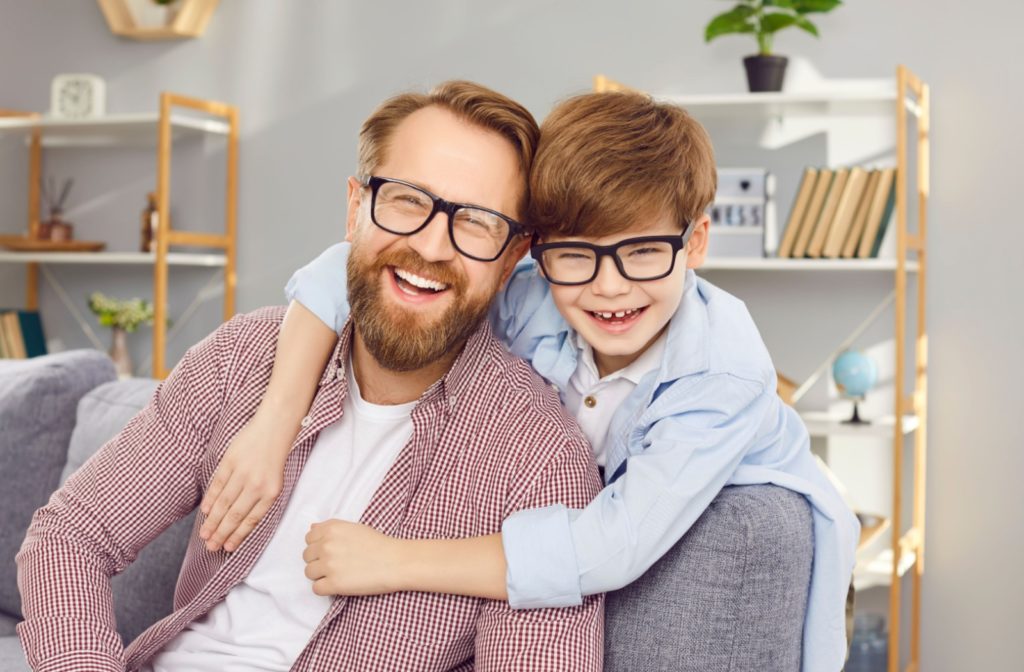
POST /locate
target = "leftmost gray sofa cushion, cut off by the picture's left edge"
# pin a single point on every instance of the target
(38, 399)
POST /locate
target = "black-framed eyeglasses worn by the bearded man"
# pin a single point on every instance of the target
(404, 209)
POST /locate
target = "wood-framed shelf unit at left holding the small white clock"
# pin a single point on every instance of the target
(159, 131)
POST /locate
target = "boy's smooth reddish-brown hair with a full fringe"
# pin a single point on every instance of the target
(609, 162)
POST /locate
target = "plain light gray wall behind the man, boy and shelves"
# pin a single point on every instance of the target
(306, 74)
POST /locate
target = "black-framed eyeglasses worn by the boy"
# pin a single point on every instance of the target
(647, 258)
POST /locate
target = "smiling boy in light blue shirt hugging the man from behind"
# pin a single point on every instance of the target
(666, 373)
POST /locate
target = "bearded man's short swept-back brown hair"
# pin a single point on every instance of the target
(468, 101)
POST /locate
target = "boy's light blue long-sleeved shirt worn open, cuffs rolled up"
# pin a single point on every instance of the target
(708, 417)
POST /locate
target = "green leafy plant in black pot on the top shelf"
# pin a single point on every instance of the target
(763, 19)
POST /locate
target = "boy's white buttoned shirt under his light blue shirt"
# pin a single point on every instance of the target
(593, 401)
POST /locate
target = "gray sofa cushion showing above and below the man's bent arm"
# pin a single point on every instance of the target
(144, 594)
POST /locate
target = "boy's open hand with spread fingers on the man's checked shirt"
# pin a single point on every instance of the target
(247, 482)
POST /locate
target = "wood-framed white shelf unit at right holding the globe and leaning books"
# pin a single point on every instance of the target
(859, 123)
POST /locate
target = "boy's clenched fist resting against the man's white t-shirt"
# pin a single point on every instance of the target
(350, 559)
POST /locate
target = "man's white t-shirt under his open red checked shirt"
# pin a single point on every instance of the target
(268, 619)
